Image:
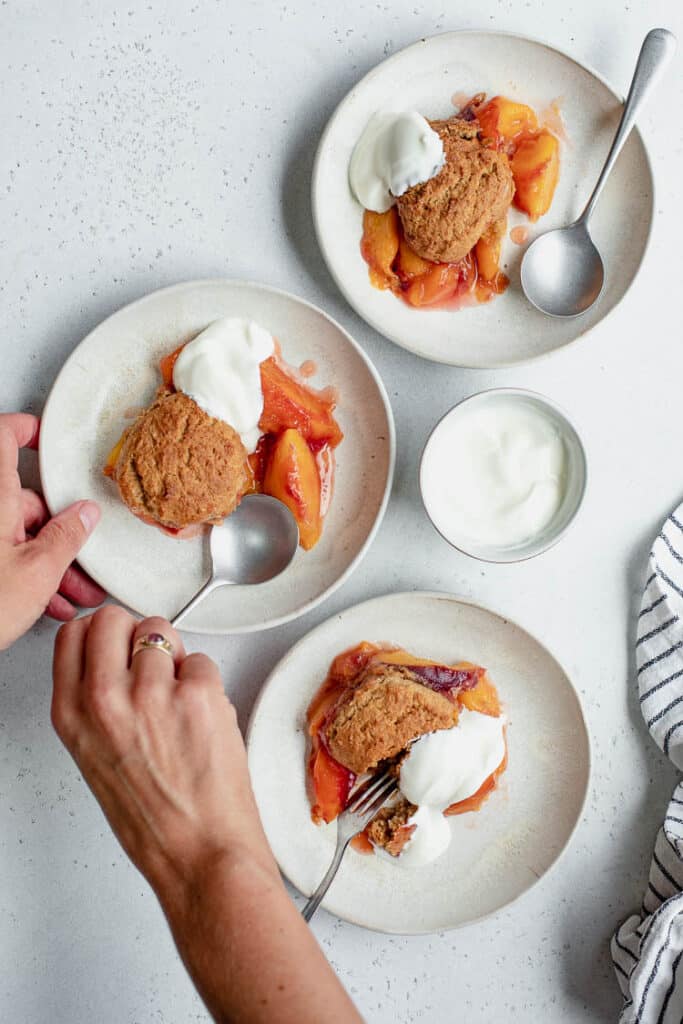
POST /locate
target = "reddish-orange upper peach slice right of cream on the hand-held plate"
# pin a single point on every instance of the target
(287, 404)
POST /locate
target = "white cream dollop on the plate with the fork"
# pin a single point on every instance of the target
(441, 770)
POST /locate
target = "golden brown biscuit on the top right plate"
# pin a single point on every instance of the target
(445, 218)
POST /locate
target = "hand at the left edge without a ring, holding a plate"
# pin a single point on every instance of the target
(36, 551)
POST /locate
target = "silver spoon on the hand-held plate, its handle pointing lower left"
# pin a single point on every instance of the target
(257, 543)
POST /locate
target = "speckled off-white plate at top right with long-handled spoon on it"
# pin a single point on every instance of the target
(424, 77)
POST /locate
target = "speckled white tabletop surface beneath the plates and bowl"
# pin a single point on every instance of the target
(131, 135)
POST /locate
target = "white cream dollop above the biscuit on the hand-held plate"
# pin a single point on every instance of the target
(220, 370)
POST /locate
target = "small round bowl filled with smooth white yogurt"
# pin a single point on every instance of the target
(503, 475)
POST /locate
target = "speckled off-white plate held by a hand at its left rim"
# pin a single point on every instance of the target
(116, 369)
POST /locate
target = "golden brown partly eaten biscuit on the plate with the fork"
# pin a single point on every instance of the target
(380, 717)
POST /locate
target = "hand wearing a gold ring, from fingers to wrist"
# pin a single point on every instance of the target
(158, 743)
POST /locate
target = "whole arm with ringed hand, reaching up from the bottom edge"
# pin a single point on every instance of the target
(158, 743)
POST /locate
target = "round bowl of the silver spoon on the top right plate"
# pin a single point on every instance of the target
(563, 272)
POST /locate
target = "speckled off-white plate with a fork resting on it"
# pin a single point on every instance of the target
(498, 854)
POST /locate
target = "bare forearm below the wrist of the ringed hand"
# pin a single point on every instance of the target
(249, 952)
